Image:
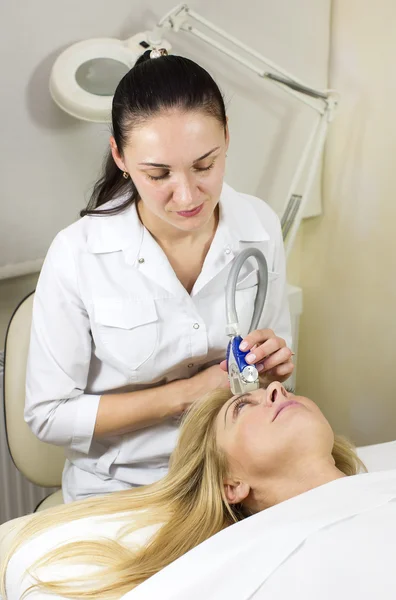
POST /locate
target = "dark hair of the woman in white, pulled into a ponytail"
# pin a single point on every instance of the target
(150, 86)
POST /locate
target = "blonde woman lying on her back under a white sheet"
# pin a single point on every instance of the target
(265, 463)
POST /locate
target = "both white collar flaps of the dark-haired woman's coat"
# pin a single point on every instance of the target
(124, 231)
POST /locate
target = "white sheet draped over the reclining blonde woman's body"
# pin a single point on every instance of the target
(272, 554)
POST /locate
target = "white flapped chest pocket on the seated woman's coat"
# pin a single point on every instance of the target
(126, 329)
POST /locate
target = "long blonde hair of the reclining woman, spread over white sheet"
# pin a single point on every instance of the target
(189, 503)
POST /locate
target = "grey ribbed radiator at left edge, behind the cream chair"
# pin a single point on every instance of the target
(18, 496)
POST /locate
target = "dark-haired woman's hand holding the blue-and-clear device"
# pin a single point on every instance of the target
(269, 353)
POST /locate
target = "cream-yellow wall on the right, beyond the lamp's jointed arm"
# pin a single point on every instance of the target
(347, 345)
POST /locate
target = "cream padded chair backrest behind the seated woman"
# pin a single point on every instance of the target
(40, 463)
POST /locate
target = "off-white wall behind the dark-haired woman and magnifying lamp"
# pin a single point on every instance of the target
(50, 160)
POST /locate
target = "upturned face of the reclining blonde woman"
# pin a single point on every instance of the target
(269, 433)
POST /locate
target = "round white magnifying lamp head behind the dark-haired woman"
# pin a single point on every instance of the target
(85, 76)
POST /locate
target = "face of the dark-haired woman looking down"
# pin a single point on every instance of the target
(176, 161)
